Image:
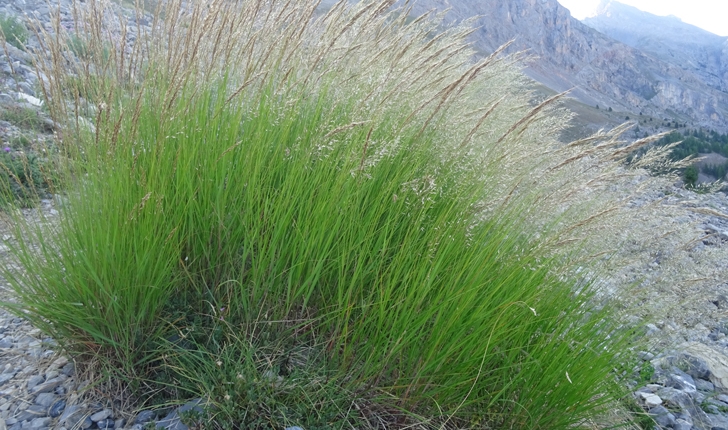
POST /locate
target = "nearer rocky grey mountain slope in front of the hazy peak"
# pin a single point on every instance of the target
(599, 69)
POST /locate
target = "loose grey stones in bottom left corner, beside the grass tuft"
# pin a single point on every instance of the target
(40, 389)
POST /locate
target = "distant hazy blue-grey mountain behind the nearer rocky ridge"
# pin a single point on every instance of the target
(666, 38)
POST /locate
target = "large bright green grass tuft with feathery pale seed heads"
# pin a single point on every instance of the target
(343, 205)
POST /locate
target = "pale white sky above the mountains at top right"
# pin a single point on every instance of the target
(711, 15)
